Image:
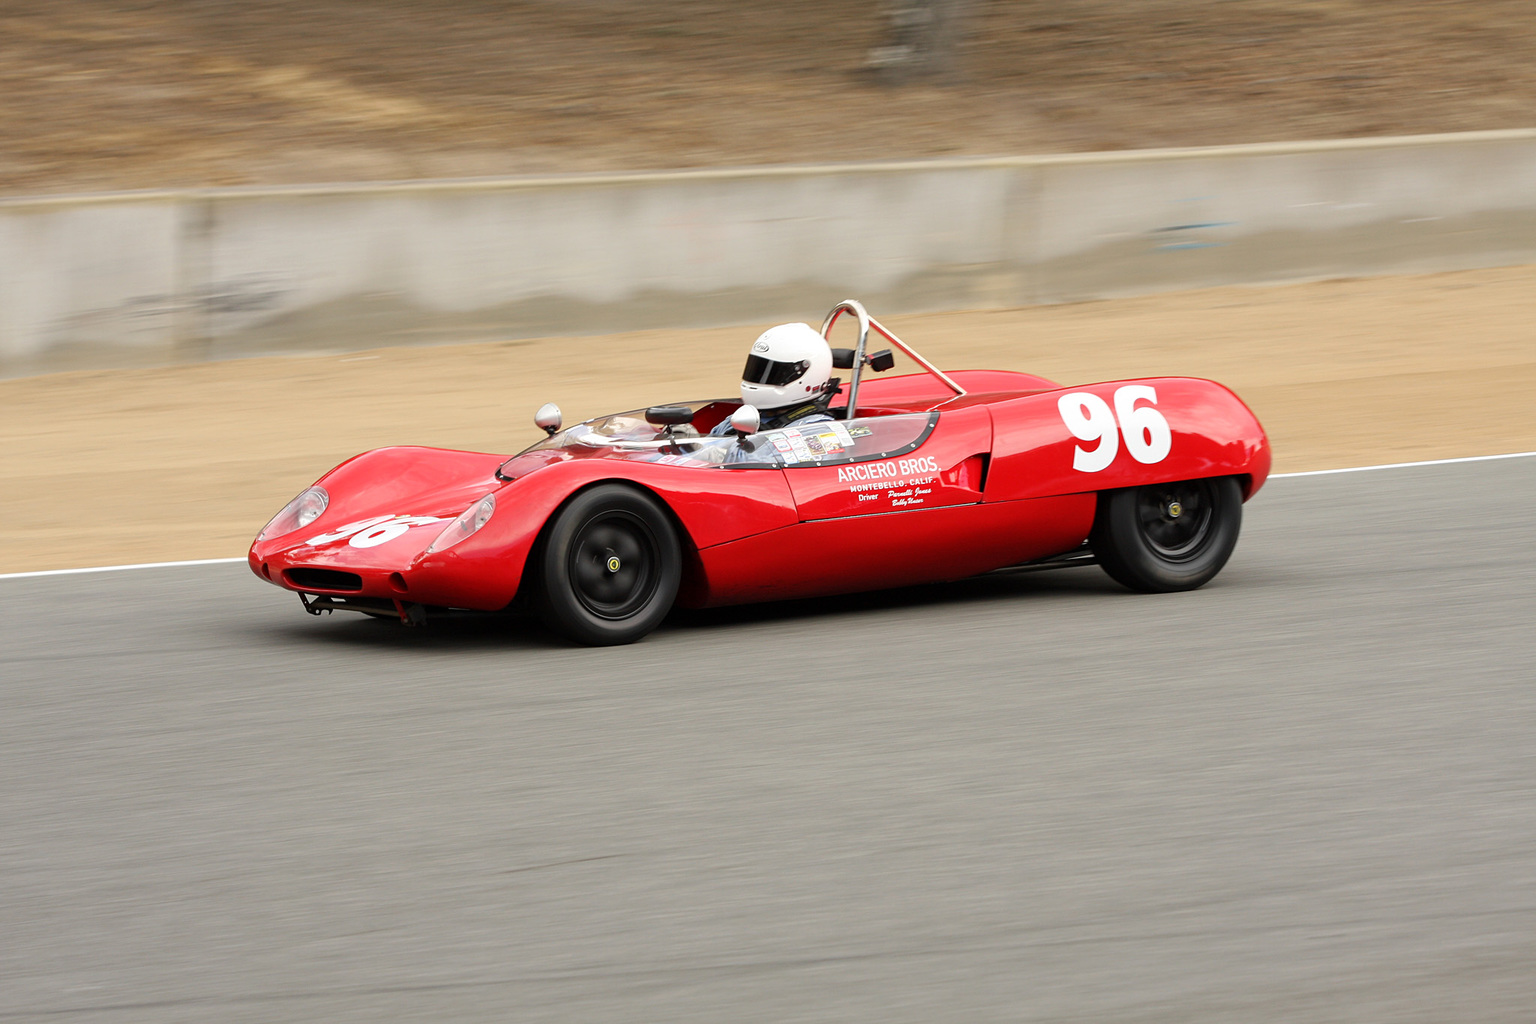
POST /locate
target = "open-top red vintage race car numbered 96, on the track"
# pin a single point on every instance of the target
(932, 477)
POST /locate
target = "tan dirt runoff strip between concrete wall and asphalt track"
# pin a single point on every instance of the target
(188, 463)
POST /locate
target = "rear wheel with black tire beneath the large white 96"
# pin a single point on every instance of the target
(1168, 537)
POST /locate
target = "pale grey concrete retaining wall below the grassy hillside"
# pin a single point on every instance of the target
(213, 274)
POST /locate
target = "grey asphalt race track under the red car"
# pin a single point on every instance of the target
(1306, 793)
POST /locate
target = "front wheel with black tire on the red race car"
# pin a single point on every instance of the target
(609, 567)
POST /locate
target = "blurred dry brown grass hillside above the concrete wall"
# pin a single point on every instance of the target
(118, 94)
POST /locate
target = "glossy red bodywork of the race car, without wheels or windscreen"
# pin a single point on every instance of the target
(991, 486)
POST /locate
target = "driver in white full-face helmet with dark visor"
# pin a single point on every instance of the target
(789, 378)
